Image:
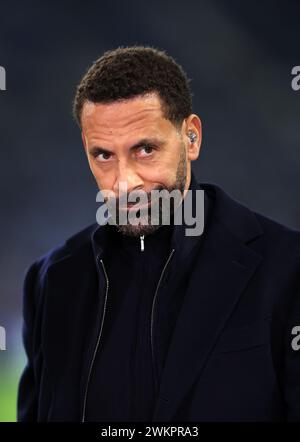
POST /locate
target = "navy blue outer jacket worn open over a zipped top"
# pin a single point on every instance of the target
(230, 357)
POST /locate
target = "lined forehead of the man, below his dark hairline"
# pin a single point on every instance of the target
(118, 116)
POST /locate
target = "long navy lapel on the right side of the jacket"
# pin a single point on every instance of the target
(224, 267)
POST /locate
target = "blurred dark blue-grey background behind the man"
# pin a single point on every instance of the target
(239, 56)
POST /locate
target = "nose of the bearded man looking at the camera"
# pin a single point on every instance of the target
(127, 178)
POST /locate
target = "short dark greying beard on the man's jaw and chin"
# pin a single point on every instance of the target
(158, 212)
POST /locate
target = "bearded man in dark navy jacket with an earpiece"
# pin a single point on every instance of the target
(141, 321)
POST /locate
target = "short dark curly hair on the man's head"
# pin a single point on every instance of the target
(127, 72)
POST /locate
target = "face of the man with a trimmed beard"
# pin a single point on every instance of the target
(131, 147)
